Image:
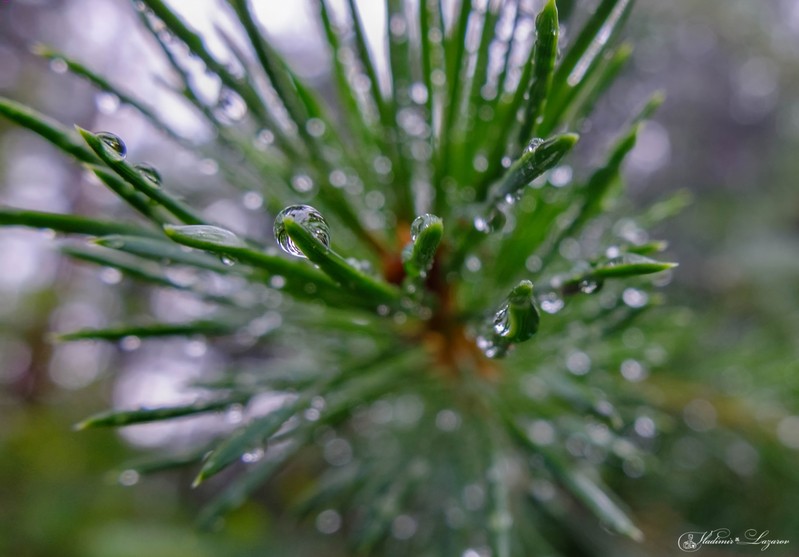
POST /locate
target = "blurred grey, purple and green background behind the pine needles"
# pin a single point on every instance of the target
(723, 456)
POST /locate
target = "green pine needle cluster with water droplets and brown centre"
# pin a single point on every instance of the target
(404, 345)
